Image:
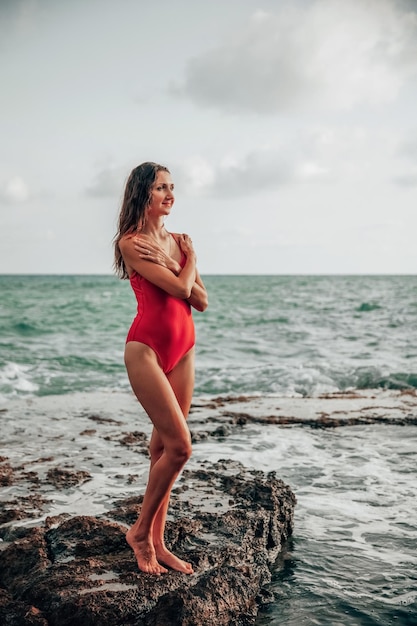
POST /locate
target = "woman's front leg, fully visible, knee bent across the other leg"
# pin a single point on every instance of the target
(158, 398)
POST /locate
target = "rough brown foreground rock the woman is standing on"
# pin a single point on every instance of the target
(231, 523)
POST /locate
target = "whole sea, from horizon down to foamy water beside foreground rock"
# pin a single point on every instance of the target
(352, 559)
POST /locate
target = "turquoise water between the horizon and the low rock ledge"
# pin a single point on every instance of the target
(260, 334)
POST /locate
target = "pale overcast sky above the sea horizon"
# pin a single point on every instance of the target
(289, 128)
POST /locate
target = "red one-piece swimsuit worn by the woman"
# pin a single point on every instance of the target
(163, 322)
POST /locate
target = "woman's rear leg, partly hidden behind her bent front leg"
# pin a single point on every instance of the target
(181, 379)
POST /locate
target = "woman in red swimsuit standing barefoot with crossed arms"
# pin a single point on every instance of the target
(159, 351)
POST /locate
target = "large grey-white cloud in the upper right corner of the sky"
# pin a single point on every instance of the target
(333, 54)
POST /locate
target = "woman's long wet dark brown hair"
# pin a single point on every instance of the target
(138, 193)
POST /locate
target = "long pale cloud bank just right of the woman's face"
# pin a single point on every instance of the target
(322, 154)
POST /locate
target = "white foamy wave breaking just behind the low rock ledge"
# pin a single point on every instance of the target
(65, 375)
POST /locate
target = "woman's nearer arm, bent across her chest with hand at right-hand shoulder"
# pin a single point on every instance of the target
(178, 286)
